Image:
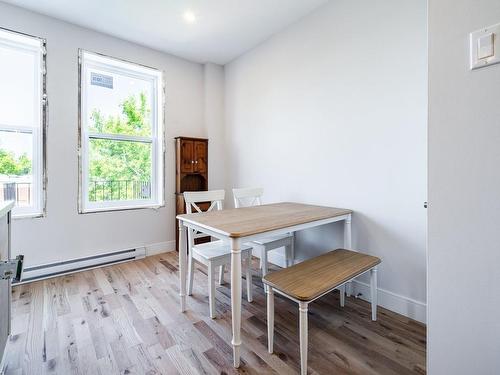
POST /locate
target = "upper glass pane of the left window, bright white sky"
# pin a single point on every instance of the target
(19, 99)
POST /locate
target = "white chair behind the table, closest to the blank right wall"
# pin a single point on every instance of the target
(247, 197)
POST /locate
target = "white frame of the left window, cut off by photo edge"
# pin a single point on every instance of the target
(35, 45)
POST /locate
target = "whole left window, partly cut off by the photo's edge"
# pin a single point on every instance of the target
(22, 122)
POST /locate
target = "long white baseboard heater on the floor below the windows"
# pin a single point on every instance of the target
(80, 264)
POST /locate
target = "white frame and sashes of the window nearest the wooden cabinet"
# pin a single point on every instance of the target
(88, 60)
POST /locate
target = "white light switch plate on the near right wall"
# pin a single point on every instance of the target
(485, 47)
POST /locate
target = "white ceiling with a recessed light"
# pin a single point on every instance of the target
(224, 29)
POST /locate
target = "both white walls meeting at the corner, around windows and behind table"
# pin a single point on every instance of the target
(331, 111)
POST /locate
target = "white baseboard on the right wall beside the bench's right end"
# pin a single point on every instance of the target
(395, 302)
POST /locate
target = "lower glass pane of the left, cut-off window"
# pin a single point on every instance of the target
(16, 176)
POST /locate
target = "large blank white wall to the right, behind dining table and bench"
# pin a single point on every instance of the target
(332, 111)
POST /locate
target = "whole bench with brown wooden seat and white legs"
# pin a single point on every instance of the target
(313, 278)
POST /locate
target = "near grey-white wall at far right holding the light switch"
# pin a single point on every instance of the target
(464, 194)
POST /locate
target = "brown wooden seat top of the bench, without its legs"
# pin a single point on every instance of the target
(310, 279)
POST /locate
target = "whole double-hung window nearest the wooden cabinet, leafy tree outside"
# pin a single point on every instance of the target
(121, 134)
